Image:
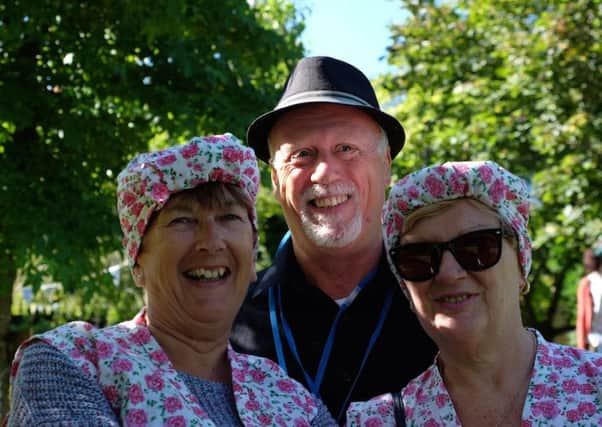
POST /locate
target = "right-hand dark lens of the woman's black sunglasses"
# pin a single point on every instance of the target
(479, 250)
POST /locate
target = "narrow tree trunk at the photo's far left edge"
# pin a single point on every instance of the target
(8, 274)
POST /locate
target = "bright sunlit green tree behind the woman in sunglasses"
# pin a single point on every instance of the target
(517, 82)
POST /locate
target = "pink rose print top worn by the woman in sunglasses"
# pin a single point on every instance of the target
(565, 389)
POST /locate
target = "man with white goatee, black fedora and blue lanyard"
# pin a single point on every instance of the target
(329, 310)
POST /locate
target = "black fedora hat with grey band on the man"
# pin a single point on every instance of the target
(322, 79)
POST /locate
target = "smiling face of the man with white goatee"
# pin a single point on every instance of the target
(330, 167)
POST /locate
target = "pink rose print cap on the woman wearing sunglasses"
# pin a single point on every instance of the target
(485, 181)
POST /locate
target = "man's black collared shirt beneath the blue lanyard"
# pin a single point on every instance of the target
(400, 351)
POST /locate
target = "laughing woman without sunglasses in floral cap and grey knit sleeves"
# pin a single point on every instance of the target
(189, 224)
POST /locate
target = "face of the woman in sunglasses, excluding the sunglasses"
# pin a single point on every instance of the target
(458, 303)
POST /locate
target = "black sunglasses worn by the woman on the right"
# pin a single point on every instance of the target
(474, 251)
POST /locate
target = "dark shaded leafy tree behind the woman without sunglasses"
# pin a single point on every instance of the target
(84, 85)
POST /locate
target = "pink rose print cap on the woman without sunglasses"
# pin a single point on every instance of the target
(148, 181)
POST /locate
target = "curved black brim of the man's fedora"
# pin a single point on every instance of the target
(259, 129)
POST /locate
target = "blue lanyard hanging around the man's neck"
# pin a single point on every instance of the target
(277, 316)
